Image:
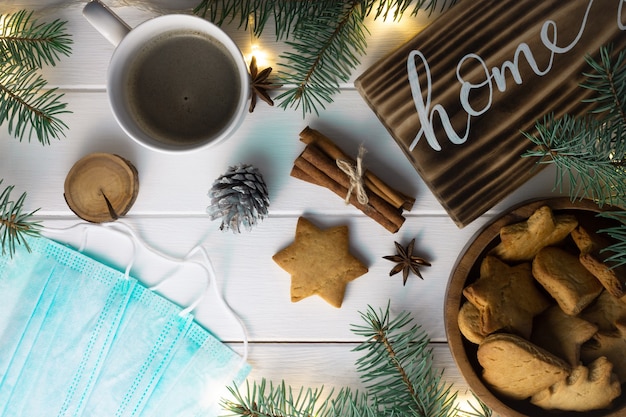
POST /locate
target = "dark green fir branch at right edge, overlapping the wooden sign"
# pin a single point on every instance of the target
(590, 151)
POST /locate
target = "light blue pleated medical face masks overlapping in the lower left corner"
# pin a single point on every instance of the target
(79, 338)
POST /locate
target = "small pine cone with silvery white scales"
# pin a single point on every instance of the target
(239, 197)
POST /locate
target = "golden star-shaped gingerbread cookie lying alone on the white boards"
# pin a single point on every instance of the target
(319, 262)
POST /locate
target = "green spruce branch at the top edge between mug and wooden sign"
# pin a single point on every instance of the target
(328, 37)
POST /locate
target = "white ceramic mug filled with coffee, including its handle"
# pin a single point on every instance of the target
(176, 82)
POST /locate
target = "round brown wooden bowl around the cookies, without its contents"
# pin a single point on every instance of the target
(466, 271)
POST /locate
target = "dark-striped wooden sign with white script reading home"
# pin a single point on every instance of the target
(457, 96)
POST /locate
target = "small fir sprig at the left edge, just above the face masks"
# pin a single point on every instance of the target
(15, 224)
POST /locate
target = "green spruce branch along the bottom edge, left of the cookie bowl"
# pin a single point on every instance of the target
(396, 366)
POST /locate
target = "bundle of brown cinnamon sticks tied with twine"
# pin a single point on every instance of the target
(317, 164)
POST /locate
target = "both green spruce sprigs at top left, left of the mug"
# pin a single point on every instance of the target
(26, 103)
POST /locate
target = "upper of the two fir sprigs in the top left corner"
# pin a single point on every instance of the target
(32, 44)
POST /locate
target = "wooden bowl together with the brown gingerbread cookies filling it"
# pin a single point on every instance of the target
(557, 361)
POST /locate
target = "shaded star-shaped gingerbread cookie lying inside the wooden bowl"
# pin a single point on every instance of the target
(506, 297)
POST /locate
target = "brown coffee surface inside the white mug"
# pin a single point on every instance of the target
(182, 87)
